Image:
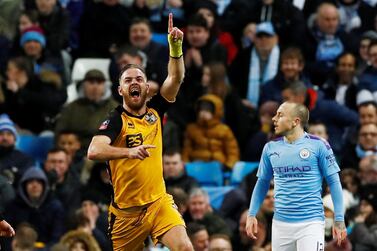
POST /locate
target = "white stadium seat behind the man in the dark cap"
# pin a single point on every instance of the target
(80, 67)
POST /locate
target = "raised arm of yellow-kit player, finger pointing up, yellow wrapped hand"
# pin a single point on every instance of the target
(176, 68)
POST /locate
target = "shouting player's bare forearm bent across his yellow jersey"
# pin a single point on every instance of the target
(100, 149)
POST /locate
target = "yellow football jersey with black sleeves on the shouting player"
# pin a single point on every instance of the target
(136, 182)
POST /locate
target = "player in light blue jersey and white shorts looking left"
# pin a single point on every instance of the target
(298, 162)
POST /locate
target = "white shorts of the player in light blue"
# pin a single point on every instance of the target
(306, 236)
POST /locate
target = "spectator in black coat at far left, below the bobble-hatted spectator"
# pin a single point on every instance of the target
(40, 97)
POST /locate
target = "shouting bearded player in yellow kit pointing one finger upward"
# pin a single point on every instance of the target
(130, 139)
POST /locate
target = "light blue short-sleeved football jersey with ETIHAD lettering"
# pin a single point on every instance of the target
(298, 169)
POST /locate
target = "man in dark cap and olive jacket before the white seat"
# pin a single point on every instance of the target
(85, 114)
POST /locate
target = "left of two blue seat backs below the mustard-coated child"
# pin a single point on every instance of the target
(206, 173)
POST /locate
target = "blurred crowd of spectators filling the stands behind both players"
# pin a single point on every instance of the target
(243, 58)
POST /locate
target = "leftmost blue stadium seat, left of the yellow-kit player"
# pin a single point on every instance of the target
(35, 146)
